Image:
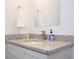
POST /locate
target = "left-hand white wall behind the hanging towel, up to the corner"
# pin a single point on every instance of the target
(11, 15)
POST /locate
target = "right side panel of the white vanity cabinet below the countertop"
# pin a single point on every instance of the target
(61, 54)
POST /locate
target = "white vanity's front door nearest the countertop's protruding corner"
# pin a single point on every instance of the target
(29, 54)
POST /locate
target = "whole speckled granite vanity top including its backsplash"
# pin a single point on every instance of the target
(45, 46)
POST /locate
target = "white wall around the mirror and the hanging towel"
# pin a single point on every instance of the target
(66, 26)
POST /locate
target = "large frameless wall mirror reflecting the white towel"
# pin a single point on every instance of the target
(47, 13)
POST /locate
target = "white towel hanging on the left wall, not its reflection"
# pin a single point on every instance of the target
(20, 17)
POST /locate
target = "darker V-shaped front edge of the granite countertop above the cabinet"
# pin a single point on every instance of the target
(38, 50)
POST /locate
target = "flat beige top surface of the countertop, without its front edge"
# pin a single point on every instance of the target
(42, 44)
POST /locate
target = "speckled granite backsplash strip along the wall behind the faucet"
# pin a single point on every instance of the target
(38, 36)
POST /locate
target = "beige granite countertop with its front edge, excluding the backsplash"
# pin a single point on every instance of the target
(41, 46)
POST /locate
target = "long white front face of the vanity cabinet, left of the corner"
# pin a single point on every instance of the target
(16, 52)
